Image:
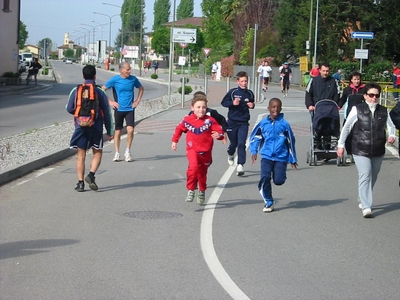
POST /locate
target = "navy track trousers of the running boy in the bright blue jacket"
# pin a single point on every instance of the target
(275, 170)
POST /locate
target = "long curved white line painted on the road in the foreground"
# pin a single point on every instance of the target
(207, 245)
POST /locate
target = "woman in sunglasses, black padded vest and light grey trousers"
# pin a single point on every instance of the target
(367, 122)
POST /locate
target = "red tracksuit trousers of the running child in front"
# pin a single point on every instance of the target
(197, 169)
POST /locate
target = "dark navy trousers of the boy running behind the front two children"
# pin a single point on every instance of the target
(237, 134)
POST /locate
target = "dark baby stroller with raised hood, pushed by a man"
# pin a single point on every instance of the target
(325, 132)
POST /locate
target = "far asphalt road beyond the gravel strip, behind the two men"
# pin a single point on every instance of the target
(22, 112)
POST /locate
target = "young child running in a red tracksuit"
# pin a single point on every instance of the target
(200, 130)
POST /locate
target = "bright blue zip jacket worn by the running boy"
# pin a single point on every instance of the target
(274, 139)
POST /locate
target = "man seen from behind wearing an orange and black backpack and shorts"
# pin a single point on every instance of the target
(89, 105)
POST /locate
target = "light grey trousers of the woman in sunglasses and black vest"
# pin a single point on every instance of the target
(368, 170)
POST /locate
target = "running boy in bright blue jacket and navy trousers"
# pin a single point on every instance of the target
(274, 139)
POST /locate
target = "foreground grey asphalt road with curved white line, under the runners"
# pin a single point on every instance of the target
(136, 238)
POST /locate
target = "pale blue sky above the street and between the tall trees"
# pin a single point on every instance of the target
(53, 18)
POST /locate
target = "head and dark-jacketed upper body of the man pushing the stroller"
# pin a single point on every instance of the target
(322, 87)
